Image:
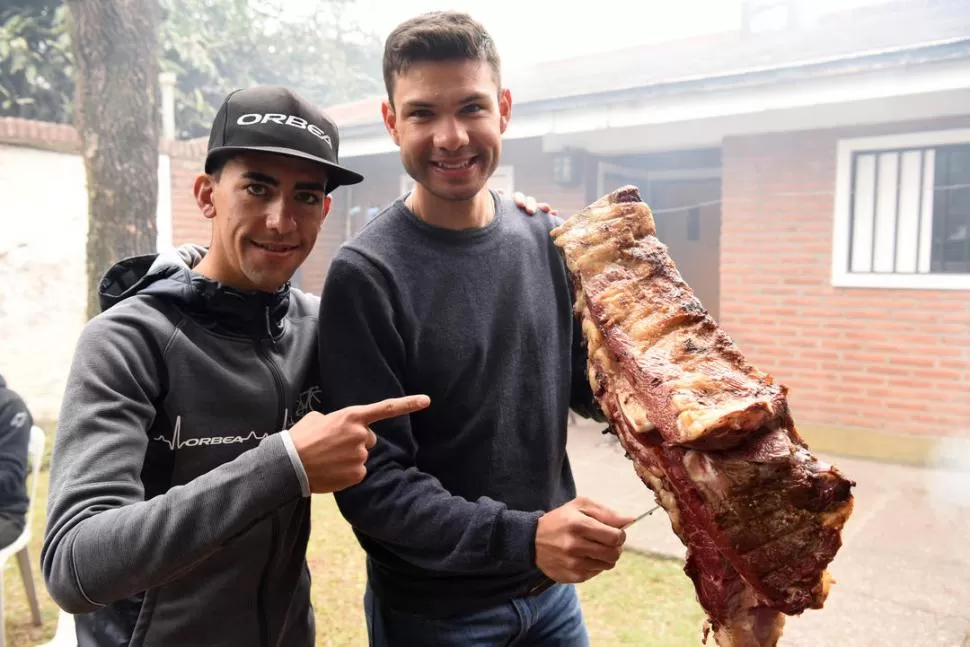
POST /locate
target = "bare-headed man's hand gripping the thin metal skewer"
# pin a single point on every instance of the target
(579, 540)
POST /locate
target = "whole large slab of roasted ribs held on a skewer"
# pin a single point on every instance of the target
(712, 436)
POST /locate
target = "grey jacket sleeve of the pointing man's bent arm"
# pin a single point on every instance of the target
(104, 541)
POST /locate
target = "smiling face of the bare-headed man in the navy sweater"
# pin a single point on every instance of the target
(448, 118)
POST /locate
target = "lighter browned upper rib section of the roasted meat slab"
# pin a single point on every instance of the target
(685, 369)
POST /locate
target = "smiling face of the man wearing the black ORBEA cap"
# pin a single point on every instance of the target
(266, 211)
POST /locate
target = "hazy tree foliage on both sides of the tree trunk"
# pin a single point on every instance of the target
(213, 46)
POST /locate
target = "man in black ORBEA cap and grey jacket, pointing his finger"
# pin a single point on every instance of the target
(187, 446)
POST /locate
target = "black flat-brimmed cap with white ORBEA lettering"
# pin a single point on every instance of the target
(274, 119)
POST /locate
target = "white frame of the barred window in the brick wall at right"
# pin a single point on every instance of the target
(841, 274)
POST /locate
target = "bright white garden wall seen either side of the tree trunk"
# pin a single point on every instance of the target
(43, 230)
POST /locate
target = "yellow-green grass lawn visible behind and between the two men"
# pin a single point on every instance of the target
(643, 601)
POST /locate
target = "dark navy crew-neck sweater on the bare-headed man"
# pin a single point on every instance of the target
(480, 320)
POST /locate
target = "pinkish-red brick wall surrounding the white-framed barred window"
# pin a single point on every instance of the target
(892, 360)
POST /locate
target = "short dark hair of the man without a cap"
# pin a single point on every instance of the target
(437, 36)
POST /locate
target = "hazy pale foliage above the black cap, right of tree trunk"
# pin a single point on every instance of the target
(215, 46)
